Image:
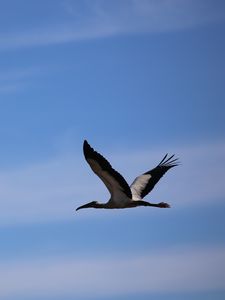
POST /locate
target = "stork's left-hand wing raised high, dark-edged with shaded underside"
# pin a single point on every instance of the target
(113, 180)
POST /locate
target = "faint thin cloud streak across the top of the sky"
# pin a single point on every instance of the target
(98, 19)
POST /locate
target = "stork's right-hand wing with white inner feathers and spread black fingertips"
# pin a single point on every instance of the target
(144, 183)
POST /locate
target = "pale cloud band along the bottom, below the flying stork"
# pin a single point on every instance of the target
(171, 270)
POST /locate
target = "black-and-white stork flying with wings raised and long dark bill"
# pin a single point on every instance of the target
(123, 195)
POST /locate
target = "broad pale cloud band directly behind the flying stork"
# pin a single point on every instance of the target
(50, 190)
